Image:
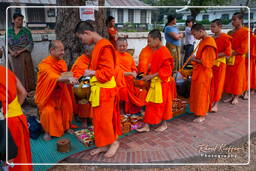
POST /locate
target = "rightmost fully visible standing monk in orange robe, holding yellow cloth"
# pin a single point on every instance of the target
(236, 70)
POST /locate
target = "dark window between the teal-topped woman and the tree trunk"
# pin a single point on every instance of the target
(36, 14)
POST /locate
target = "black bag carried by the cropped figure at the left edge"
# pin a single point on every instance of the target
(12, 147)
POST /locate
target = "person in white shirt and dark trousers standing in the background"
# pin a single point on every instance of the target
(189, 40)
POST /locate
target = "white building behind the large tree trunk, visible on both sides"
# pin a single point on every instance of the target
(46, 17)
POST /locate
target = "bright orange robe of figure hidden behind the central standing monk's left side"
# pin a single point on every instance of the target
(145, 59)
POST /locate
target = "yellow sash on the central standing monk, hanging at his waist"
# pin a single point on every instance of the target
(155, 91)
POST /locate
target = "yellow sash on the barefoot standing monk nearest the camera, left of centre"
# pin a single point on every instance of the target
(95, 89)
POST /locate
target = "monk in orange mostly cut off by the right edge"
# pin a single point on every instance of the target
(253, 64)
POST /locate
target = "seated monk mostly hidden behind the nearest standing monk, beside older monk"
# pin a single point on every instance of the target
(81, 64)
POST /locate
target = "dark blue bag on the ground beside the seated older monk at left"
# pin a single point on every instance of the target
(35, 128)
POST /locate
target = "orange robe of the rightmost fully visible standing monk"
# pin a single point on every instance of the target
(236, 74)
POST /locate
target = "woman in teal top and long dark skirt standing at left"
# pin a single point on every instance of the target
(20, 46)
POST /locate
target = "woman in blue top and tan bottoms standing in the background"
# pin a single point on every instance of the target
(173, 40)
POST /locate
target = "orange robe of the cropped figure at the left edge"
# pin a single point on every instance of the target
(18, 124)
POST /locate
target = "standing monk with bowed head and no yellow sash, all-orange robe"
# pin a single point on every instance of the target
(202, 72)
